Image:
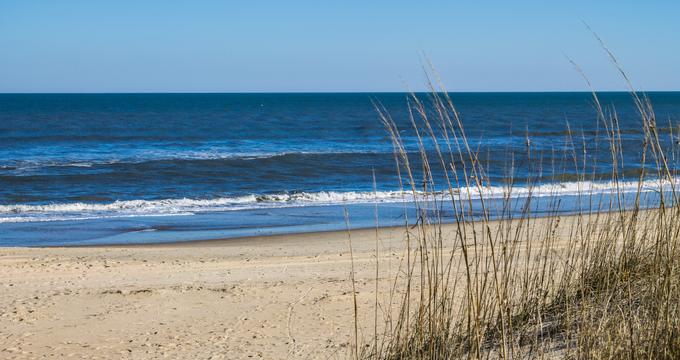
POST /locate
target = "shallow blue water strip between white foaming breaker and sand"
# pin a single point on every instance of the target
(276, 221)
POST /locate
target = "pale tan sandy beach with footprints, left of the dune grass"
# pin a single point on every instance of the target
(270, 297)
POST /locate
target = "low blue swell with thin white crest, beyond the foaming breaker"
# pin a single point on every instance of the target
(79, 155)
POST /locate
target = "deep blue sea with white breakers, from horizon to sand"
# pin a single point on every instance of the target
(138, 168)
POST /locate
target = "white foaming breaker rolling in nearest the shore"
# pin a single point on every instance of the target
(19, 213)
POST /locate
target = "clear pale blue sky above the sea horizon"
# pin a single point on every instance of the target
(316, 45)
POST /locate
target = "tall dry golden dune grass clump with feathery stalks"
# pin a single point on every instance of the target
(601, 283)
